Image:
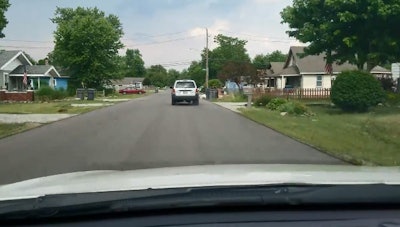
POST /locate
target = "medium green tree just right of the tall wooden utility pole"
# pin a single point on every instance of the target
(229, 50)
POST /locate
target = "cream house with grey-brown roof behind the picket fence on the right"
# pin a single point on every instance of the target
(310, 72)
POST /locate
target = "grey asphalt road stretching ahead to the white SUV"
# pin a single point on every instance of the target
(145, 133)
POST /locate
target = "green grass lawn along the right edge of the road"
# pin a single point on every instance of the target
(371, 138)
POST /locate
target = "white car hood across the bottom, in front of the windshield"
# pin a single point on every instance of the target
(198, 176)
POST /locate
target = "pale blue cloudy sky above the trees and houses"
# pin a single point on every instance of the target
(167, 32)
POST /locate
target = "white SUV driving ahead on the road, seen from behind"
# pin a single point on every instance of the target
(185, 90)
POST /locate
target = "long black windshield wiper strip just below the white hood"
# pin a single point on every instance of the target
(151, 199)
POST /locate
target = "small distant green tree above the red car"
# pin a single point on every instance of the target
(134, 64)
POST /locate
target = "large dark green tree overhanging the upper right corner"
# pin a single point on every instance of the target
(359, 32)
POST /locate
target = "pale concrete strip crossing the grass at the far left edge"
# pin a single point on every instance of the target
(37, 118)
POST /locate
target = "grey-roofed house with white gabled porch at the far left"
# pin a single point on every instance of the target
(13, 65)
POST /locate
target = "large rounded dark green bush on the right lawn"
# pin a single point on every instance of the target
(356, 91)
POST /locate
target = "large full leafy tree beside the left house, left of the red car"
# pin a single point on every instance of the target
(86, 45)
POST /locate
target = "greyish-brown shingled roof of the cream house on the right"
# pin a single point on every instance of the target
(312, 63)
